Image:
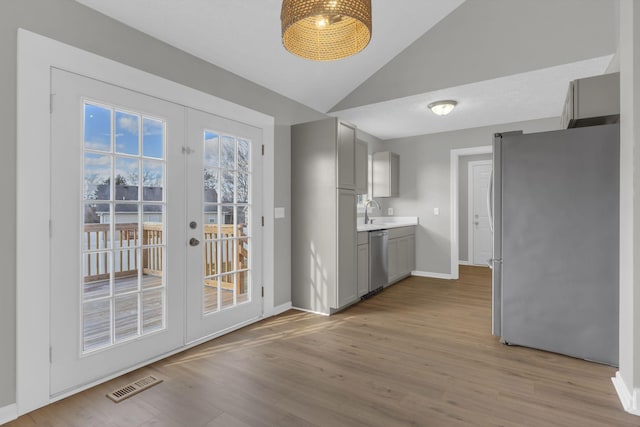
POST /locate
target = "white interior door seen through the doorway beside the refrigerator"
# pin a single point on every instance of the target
(480, 237)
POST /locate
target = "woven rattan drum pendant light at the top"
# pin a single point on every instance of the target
(325, 30)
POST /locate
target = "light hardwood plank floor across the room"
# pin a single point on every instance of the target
(418, 354)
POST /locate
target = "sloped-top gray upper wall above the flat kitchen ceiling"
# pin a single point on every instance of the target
(487, 39)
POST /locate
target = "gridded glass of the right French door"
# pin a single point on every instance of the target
(226, 214)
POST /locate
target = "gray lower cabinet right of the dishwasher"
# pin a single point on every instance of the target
(401, 252)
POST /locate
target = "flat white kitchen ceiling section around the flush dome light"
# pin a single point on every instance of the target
(520, 97)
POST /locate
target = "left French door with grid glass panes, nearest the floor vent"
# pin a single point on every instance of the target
(117, 185)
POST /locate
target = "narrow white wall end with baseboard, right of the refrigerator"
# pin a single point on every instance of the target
(627, 379)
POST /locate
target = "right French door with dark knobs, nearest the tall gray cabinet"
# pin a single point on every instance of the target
(225, 225)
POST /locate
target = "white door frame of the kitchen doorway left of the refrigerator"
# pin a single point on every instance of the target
(453, 196)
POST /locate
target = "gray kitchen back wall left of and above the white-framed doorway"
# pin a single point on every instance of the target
(425, 184)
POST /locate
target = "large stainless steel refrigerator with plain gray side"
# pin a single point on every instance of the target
(555, 244)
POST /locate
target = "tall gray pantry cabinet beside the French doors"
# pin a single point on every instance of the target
(323, 209)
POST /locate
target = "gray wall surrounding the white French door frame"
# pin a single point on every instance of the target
(74, 24)
